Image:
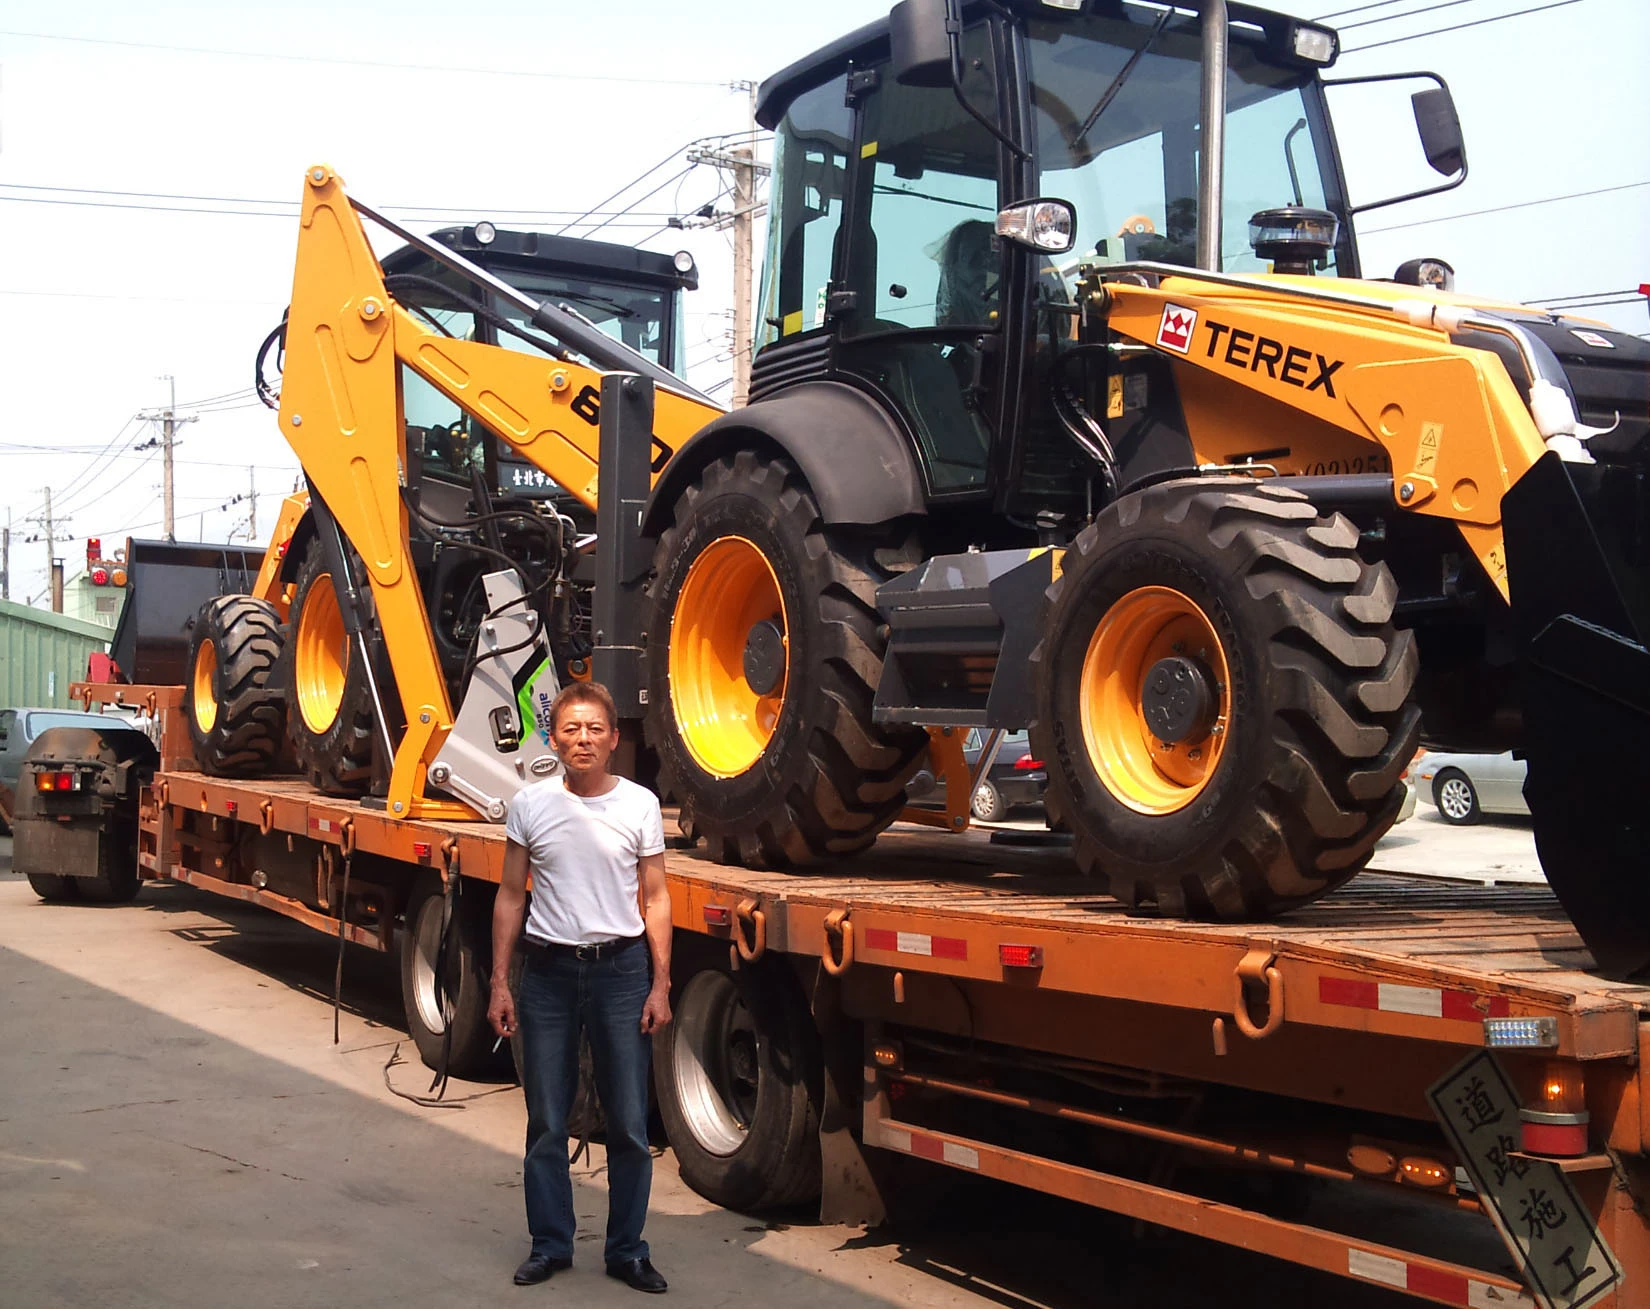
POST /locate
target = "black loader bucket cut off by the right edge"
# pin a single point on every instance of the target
(1578, 572)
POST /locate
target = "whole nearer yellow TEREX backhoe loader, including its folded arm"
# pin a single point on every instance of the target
(1072, 412)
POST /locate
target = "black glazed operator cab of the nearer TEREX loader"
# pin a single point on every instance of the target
(895, 267)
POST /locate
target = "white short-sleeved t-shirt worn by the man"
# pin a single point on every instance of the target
(583, 854)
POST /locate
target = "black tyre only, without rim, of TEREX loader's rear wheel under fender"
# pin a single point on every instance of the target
(829, 780)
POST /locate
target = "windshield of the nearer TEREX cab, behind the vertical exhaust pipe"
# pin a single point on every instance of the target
(1118, 136)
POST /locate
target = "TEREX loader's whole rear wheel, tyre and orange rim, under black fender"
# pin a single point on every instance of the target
(765, 654)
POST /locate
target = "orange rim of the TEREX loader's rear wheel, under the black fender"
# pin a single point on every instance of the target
(722, 721)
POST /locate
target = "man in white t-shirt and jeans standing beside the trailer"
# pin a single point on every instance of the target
(595, 846)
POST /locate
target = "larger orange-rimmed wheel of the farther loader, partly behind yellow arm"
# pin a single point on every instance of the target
(326, 689)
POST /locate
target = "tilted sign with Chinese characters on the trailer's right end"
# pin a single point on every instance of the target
(1547, 1229)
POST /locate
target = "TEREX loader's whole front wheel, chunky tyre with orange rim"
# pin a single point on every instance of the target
(1247, 628)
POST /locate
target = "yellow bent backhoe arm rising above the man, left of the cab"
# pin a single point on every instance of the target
(341, 412)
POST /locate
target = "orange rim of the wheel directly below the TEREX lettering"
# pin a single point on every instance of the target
(1141, 772)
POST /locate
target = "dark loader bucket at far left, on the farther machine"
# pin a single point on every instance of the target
(171, 582)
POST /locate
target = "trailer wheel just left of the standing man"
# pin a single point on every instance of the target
(466, 978)
